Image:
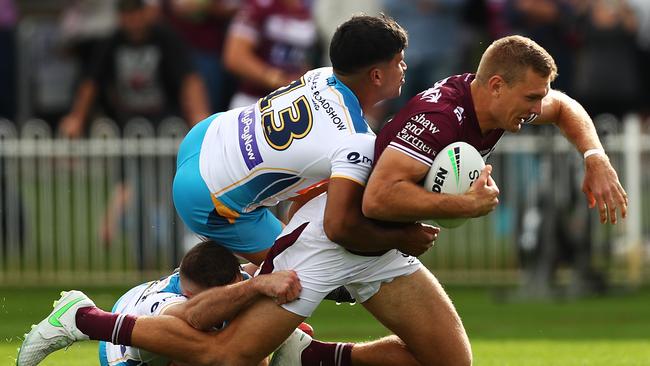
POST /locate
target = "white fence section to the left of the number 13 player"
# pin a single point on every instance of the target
(56, 197)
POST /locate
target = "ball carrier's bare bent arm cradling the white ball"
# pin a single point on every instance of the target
(394, 193)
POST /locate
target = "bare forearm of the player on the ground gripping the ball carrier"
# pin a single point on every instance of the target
(212, 307)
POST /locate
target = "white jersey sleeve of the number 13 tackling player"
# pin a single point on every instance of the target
(352, 159)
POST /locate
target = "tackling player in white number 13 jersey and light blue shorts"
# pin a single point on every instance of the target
(233, 165)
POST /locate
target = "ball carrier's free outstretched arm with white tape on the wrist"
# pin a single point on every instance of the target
(601, 184)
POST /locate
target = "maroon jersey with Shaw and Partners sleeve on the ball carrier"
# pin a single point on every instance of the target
(434, 119)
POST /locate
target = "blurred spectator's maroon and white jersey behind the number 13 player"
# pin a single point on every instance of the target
(284, 35)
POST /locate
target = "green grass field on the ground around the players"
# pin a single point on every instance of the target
(607, 331)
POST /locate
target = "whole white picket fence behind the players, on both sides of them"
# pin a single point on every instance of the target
(55, 196)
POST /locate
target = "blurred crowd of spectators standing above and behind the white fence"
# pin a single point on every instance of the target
(66, 61)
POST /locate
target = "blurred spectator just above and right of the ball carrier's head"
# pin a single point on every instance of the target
(549, 23)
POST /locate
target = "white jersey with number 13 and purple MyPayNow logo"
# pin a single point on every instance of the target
(297, 136)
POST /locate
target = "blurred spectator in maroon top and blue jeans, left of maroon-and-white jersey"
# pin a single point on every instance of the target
(203, 25)
